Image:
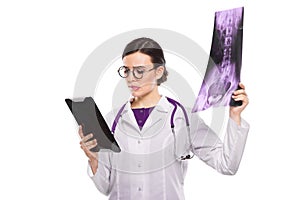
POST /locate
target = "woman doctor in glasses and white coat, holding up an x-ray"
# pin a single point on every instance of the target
(156, 136)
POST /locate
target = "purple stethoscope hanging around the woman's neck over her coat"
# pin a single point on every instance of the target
(175, 104)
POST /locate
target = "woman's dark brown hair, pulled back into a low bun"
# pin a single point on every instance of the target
(151, 48)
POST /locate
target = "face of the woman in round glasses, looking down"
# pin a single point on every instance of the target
(142, 63)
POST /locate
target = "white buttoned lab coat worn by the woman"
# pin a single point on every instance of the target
(147, 166)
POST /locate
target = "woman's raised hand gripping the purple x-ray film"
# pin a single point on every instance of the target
(235, 111)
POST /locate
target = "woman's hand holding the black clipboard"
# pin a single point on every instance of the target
(86, 145)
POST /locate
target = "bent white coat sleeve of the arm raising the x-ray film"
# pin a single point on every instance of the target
(224, 156)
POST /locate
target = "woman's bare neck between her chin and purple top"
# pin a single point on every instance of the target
(146, 101)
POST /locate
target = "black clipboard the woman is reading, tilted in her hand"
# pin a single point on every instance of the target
(87, 114)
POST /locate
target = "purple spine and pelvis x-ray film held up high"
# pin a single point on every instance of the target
(222, 75)
